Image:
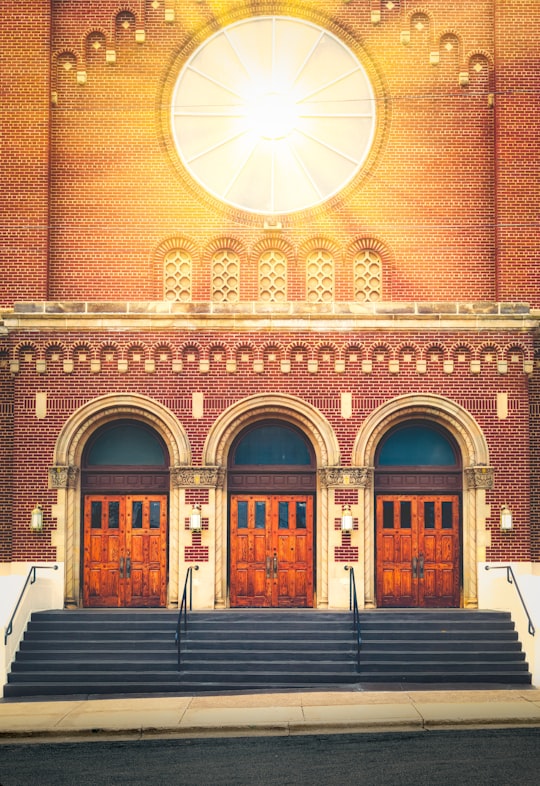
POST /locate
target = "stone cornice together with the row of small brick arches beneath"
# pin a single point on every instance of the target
(352, 343)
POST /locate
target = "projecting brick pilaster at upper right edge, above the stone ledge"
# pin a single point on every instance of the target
(517, 26)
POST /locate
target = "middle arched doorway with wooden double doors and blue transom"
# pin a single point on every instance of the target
(272, 482)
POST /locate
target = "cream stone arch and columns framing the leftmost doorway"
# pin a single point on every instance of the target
(65, 477)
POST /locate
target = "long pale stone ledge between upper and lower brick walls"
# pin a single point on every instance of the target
(256, 315)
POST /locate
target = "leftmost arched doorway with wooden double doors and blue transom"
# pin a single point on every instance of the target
(125, 485)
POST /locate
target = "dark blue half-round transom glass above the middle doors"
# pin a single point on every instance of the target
(271, 444)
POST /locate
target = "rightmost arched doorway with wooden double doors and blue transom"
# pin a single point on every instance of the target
(418, 497)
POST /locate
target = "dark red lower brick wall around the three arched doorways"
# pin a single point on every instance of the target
(34, 438)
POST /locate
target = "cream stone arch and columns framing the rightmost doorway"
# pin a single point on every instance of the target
(477, 476)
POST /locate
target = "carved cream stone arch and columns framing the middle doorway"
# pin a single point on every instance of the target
(316, 428)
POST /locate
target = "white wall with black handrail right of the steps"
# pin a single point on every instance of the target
(494, 592)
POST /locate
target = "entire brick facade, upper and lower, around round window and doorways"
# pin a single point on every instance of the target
(96, 199)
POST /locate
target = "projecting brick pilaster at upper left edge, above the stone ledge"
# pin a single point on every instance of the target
(24, 168)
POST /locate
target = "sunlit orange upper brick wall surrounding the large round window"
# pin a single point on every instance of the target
(117, 191)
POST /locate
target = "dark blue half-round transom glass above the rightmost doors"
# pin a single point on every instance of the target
(416, 445)
